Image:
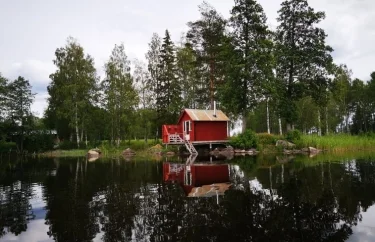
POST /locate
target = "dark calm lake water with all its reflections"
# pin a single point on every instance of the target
(244, 199)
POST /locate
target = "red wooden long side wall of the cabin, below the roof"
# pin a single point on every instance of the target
(210, 131)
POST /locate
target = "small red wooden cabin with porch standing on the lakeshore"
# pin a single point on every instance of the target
(198, 126)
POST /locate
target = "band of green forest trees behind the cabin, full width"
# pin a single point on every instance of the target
(273, 81)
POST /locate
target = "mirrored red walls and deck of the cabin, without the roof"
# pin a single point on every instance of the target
(197, 175)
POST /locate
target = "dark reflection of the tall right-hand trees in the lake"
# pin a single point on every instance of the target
(317, 203)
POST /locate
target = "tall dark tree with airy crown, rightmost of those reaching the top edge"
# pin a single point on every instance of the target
(301, 53)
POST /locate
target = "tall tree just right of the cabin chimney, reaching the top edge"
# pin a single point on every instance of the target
(251, 58)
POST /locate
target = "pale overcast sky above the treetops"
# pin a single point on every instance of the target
(32, 30)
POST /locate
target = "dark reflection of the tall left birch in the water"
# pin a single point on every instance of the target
(67, 195)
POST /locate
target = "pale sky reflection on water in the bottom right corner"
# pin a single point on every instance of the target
(365, 231)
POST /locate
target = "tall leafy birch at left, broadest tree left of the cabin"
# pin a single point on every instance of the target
(73, 86)
